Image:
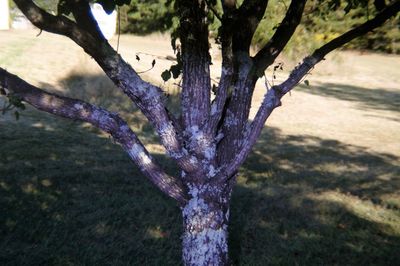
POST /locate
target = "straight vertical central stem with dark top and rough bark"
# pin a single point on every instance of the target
(196, 83)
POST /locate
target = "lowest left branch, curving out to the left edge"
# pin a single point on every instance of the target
(100, 118)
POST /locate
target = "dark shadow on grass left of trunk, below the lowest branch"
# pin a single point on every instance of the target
(69, 196)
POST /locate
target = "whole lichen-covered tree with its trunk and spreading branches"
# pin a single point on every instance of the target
(211, 139)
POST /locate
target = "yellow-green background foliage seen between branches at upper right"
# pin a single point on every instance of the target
(322, 23)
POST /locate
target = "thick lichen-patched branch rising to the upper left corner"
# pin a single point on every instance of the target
(149, 98)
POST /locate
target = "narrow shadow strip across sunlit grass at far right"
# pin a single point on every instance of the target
(375, 99)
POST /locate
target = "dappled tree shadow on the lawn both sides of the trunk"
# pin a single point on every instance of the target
(69, 196)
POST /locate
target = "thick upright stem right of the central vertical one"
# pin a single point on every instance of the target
(232, 104)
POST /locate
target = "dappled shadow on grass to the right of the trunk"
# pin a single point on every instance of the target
(303, 200)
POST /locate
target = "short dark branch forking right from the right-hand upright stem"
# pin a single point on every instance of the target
(267, 55)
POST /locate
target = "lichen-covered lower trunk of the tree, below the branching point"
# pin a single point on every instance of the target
(205, 221)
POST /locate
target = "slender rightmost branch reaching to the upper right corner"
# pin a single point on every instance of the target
(273, 96)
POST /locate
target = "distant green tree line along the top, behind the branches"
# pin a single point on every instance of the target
(322, 22)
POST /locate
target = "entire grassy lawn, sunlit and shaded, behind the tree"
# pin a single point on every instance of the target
(320, 188)
